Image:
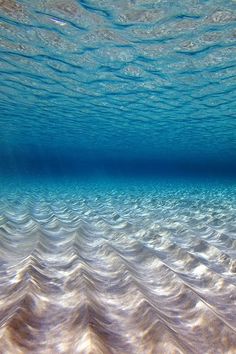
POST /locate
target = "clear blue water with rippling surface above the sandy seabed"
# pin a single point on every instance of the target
(118, 85)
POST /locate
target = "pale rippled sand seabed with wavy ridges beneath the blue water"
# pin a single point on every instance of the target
(118, 270)
